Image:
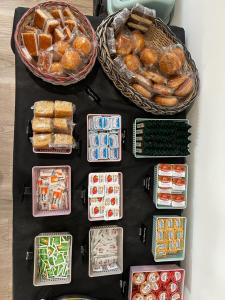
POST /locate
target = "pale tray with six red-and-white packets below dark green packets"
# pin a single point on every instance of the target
(170, 186)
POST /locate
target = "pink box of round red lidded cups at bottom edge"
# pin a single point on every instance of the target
(163, 283)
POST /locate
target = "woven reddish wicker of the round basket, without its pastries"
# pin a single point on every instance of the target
(57, 79)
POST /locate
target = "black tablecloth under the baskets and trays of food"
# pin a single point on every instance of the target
(138, 205)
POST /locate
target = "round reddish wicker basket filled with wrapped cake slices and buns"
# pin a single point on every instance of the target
(56, 42)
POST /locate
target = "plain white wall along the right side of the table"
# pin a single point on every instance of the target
(204, 23)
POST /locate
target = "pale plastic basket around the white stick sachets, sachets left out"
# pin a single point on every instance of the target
(110, 270)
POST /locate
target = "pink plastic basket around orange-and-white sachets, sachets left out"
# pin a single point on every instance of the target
(56, 212)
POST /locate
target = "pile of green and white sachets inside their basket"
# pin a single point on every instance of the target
(54, 257)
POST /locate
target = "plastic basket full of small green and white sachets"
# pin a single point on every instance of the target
(52, 259)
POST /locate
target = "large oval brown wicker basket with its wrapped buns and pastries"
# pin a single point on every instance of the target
(147, 62)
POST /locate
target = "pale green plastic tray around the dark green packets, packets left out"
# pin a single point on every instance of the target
(134, 136)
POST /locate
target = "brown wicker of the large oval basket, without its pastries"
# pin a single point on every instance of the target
(162, 36)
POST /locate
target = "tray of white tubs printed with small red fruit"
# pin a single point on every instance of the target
(105, 196)
